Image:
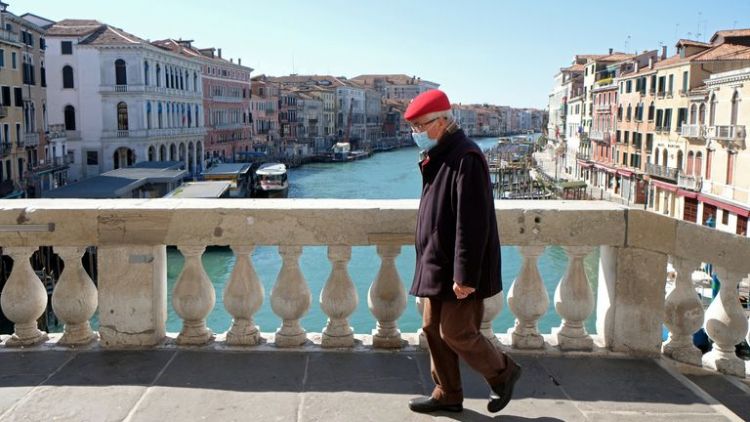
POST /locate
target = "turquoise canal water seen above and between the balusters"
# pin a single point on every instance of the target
(387, 175)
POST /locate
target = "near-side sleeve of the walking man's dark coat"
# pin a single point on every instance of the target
(473, 208)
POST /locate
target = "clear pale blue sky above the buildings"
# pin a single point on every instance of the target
(492, 51)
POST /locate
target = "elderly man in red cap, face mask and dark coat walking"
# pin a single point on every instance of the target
(458, 258)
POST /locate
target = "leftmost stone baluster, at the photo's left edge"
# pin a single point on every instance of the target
(23, 299)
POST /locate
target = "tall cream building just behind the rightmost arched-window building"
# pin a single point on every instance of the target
(681, 82)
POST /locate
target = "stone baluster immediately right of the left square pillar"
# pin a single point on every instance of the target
(193, 298)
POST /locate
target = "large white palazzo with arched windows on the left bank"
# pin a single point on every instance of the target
(121, 99)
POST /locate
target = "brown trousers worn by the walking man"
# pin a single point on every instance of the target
(452, 331)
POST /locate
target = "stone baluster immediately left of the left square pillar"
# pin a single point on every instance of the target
(75, 298)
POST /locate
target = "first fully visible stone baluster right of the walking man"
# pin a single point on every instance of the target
(528, 300)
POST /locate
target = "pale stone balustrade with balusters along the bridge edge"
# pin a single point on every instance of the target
(130, 237)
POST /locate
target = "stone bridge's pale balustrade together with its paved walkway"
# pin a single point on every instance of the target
(199, 374)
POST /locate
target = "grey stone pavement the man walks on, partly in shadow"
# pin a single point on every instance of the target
(283, 385)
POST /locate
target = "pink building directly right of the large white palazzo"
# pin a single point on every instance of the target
(226, 99)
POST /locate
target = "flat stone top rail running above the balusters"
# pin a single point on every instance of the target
(82, 222)
